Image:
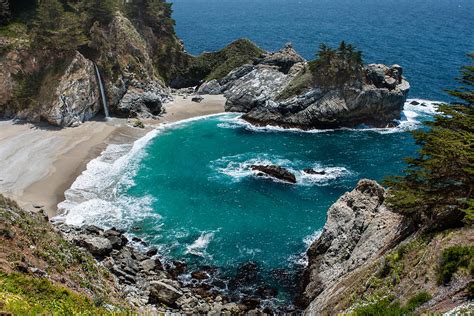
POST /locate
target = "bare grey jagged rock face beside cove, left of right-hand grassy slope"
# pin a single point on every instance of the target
(359, 229)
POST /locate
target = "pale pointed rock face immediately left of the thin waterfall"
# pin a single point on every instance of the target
(77, 97)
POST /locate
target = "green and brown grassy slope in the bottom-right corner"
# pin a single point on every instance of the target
(405, 281)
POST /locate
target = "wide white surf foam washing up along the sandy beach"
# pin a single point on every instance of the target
(94, 197)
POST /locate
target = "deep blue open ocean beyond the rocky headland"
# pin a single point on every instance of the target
(429, 38)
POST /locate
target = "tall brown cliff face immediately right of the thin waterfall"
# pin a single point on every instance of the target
(135, 88)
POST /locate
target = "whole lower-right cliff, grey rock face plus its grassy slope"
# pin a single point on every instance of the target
(371, 257)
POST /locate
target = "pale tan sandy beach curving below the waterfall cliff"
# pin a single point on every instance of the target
(39, 162)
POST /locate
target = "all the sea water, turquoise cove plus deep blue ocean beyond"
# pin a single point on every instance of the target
(188, 189)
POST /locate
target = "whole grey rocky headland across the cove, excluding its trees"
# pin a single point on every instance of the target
(281, 89)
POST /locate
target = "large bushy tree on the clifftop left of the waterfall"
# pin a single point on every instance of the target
(55, 29)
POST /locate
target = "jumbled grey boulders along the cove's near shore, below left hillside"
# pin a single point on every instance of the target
(154, 284)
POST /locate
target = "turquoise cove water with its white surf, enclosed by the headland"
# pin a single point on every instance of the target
(188, 188)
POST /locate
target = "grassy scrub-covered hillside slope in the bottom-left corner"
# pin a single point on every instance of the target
(41, 273)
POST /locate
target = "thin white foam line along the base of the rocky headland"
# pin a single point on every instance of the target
(412, 117)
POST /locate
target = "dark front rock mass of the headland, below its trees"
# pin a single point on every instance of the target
(377, 102)
